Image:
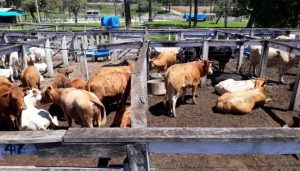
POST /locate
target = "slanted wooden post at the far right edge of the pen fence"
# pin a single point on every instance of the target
(295, 100)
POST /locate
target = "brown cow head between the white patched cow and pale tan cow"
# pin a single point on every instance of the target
(50, 95)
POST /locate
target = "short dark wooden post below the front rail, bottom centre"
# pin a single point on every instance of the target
(138, 157)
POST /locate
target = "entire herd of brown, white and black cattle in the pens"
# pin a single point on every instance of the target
(85, 102)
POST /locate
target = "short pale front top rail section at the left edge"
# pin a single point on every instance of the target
(31, 137)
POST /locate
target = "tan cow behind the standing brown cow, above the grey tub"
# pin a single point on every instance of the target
(163, 60)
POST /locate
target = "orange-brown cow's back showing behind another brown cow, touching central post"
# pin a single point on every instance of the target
(125, 69)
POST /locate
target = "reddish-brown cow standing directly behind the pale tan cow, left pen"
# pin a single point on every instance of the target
(113, 86)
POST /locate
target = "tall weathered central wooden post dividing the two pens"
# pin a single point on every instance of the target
(139, 93)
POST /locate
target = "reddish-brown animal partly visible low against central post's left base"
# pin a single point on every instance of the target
(122, 118)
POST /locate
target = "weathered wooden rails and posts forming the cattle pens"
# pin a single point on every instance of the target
(137, 142)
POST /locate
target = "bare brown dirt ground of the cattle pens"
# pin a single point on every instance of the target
(273, 114)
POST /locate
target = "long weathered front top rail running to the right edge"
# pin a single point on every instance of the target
(146, 135)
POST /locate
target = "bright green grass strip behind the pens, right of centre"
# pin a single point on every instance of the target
(185, 24)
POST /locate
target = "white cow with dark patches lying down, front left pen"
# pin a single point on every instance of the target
(34, 119)
